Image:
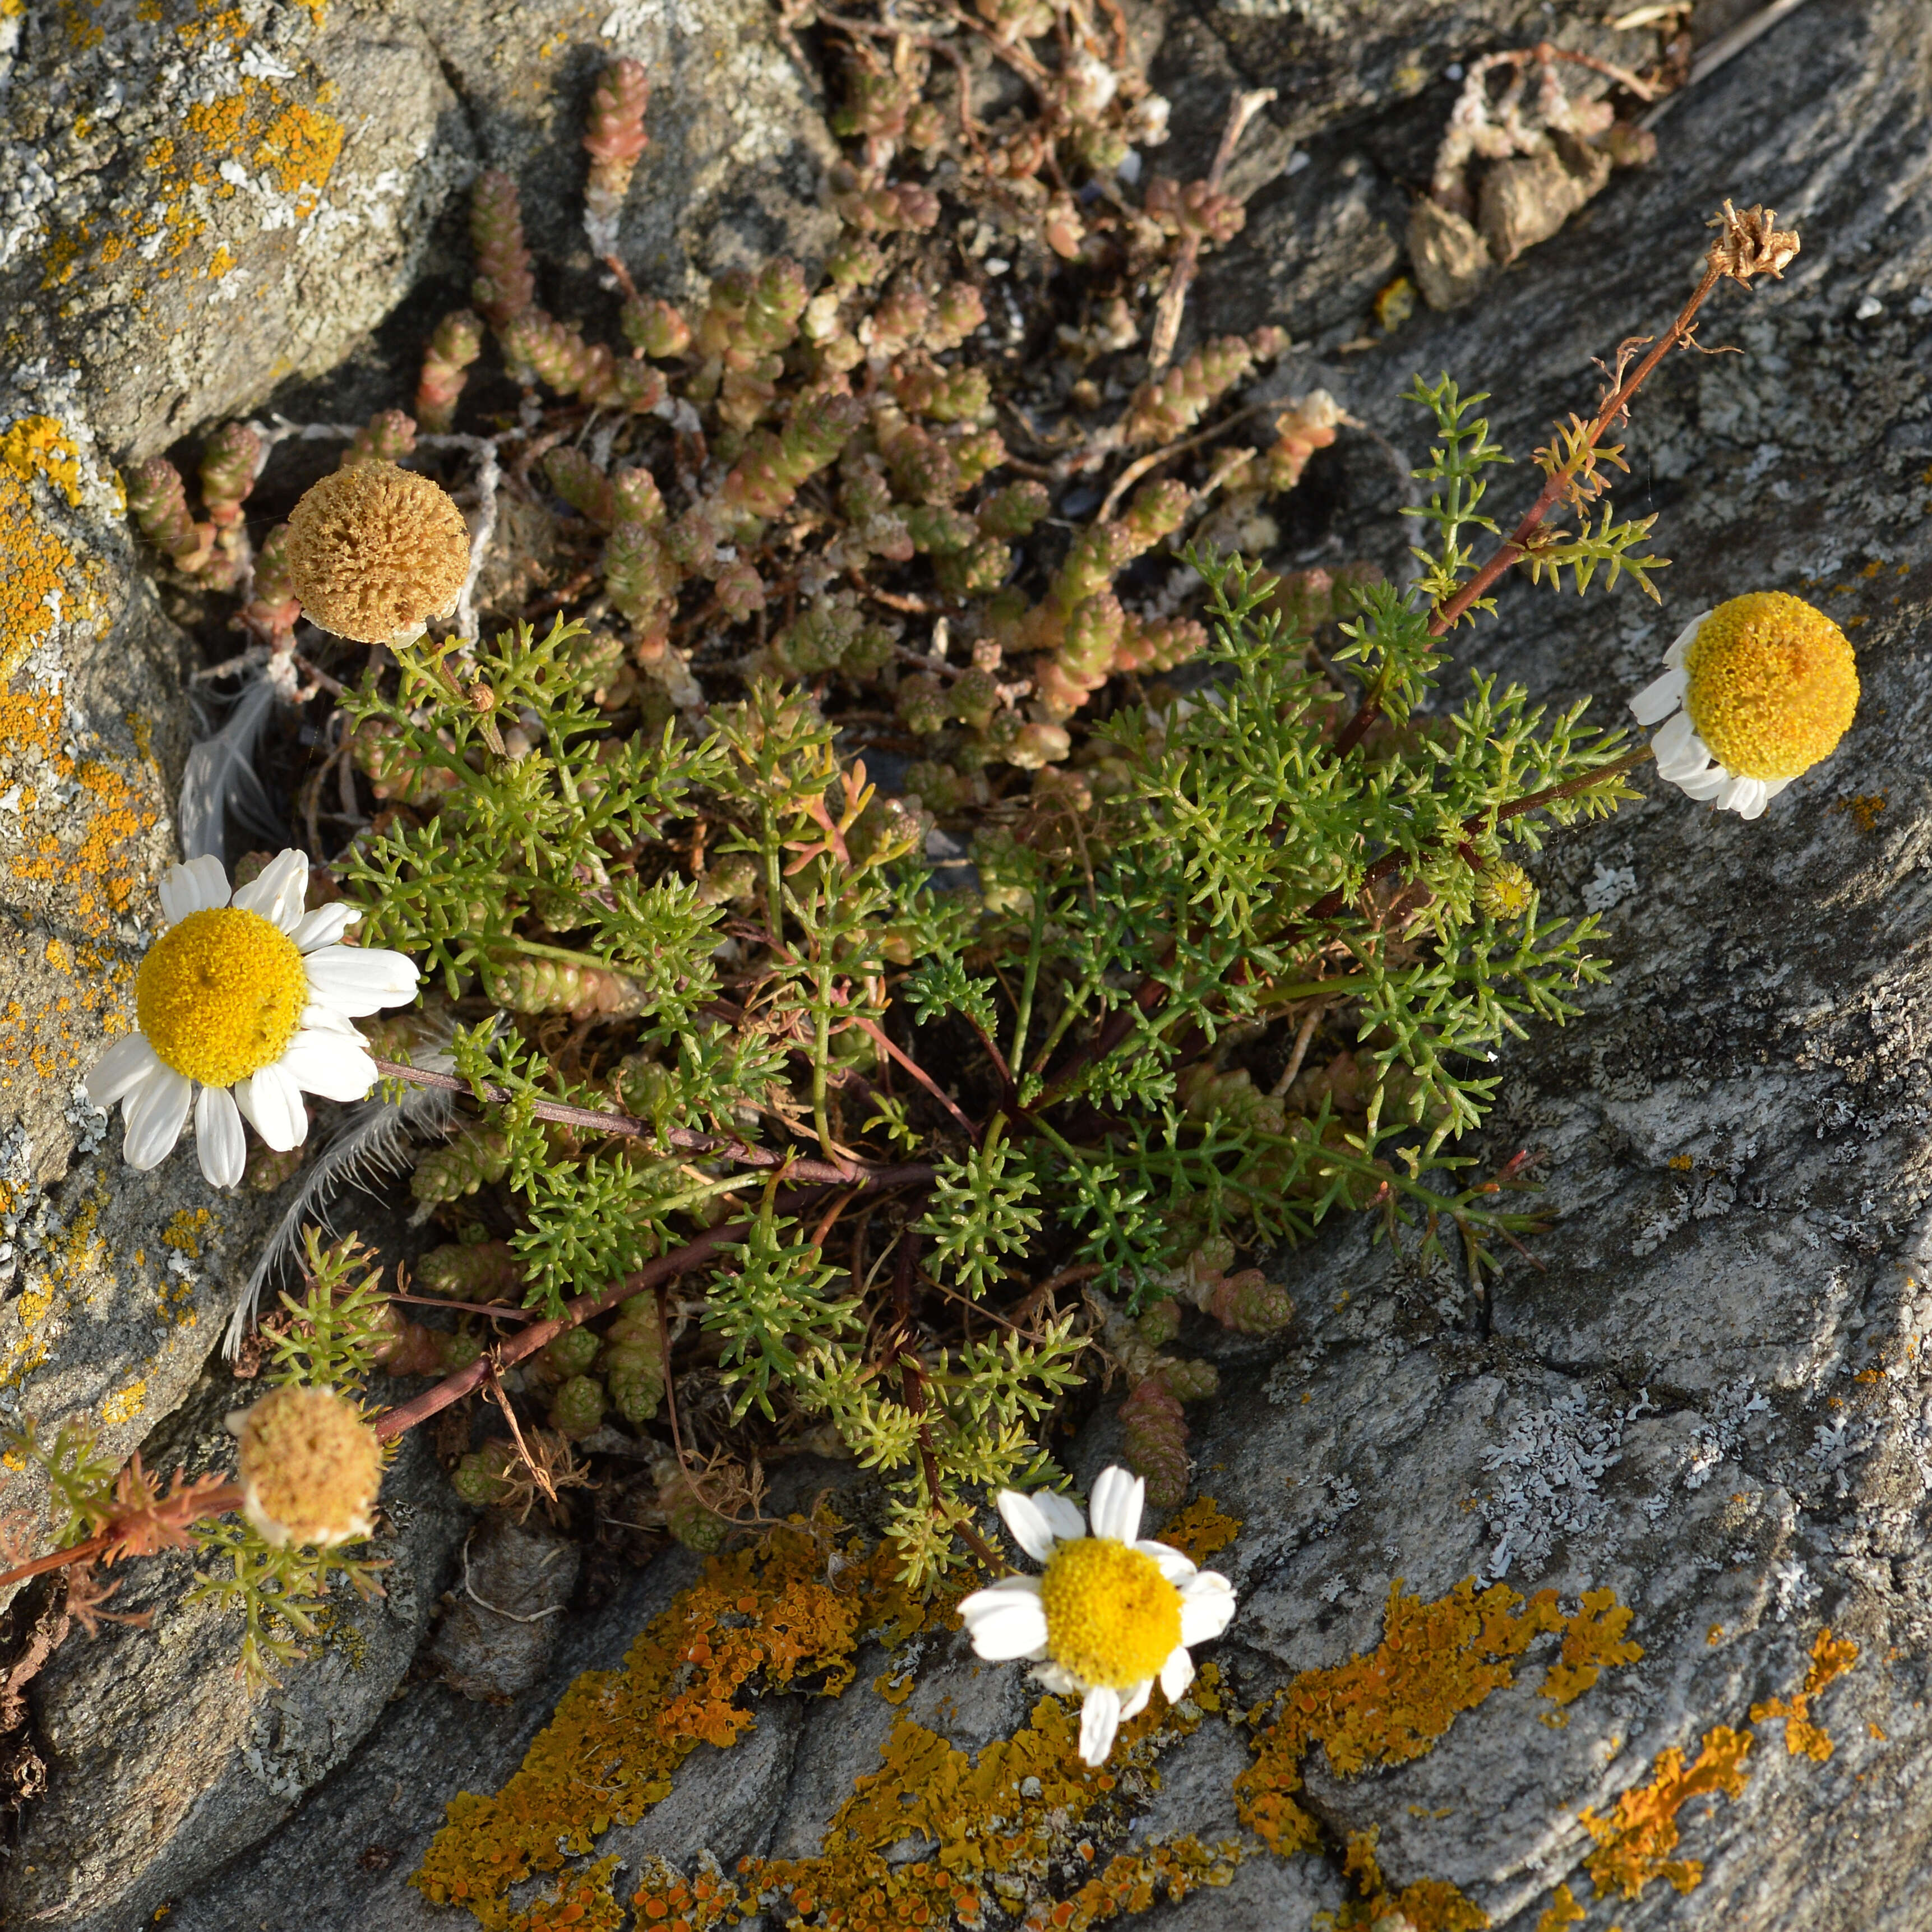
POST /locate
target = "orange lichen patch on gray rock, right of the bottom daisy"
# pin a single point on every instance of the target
(1398, 1701)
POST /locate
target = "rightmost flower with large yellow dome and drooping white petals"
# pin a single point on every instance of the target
(1753, 693)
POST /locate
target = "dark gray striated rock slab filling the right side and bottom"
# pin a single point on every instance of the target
(1734, 1137)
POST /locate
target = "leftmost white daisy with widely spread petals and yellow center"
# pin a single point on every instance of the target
(244, 1006)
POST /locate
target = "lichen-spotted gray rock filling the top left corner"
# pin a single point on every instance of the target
(202, 208)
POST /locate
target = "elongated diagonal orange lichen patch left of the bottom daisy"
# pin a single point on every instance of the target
(617, 1738)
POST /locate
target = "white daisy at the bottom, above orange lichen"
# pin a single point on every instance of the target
(1110, 1614)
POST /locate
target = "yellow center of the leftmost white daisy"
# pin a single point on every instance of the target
(221, 996)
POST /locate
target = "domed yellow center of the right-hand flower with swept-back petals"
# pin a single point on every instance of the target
(1773, 685)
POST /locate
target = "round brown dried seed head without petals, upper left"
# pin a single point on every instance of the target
(374, 552)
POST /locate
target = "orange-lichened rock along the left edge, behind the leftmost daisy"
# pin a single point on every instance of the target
(113, 1286)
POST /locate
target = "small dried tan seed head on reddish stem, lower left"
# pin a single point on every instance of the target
(310, 1467)
